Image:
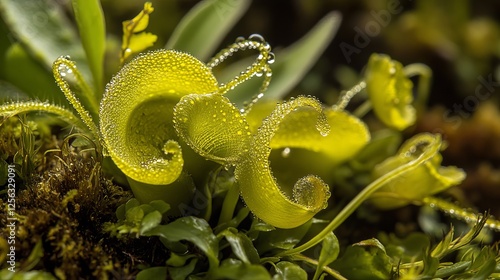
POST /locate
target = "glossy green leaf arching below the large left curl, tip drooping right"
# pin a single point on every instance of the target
(192, 229)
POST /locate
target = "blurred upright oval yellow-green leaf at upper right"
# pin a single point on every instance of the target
(390, 92)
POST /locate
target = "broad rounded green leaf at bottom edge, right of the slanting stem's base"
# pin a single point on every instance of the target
(364, 262)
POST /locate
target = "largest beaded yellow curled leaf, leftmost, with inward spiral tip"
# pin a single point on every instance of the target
(136, 113)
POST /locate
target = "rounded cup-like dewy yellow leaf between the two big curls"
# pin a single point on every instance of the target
(212, 126)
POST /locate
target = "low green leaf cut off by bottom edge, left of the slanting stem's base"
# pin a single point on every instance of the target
(236, 269)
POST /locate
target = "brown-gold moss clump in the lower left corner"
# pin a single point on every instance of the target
(65, 211)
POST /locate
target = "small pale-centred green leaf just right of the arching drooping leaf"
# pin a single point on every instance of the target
(241, 245)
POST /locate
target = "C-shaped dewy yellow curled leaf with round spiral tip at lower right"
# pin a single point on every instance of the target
(260, 189)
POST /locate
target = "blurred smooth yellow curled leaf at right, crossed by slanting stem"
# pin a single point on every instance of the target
(425, 180)
